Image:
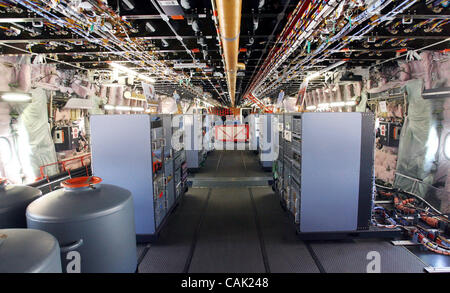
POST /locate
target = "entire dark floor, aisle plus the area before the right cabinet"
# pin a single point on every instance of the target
(243, 229)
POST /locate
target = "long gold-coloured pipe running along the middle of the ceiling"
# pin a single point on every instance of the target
(229, 14)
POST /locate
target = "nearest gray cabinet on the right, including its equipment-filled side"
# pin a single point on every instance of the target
(326, 177)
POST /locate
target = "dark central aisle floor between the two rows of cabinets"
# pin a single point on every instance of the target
(228, 229)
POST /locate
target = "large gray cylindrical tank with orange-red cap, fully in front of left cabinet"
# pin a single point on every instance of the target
(93, 222)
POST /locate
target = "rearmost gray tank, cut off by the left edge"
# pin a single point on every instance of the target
(14, 200)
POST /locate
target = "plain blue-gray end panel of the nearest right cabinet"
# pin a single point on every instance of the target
(331, 160)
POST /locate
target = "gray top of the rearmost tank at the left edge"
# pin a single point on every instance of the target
(11, 195)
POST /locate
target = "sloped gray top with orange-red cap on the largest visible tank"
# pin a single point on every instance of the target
(78, 203)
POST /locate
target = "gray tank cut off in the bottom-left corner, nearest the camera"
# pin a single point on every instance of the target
(28, 251)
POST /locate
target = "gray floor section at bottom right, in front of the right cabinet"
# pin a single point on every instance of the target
(351, 256)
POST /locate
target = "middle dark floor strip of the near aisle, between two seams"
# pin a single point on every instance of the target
(228, 241)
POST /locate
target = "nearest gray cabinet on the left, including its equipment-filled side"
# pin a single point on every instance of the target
(124, 148)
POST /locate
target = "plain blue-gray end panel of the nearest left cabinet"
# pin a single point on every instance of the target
(122, 155)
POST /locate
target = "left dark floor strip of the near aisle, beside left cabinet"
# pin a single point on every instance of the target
(169, 253)
